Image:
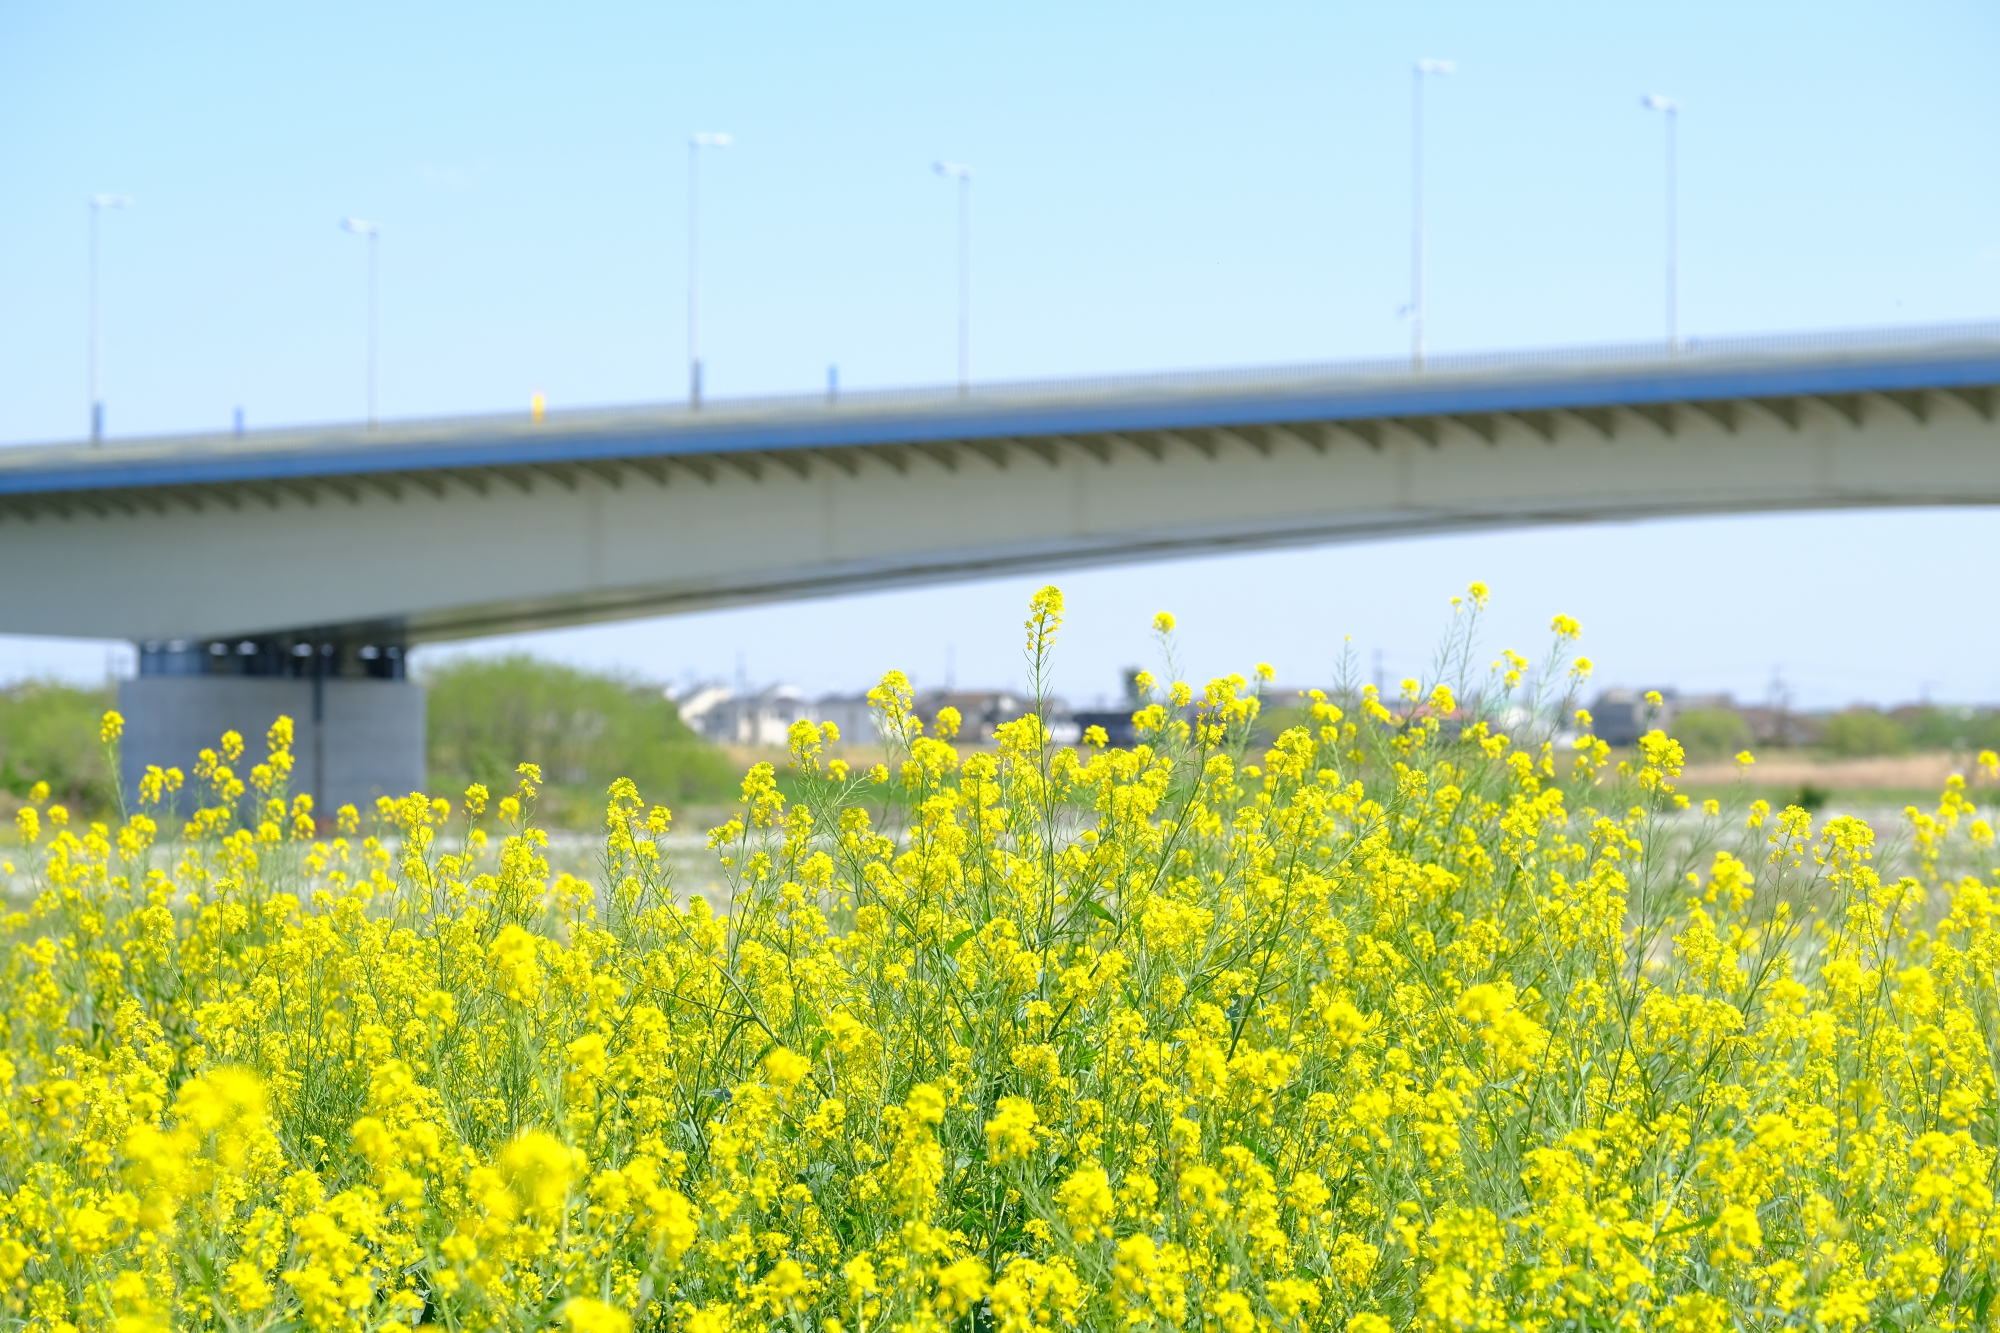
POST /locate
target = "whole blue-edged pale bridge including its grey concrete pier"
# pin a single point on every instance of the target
(313, 559)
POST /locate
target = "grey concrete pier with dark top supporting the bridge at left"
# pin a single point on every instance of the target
(357, 718)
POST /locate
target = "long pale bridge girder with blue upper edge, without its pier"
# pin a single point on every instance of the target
(485, 541)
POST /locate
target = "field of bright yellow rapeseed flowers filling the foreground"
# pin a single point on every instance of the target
(1399, 1024)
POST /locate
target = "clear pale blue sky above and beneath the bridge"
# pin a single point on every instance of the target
(1159, 185)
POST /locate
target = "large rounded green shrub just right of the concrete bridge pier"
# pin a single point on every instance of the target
(581, 728)
